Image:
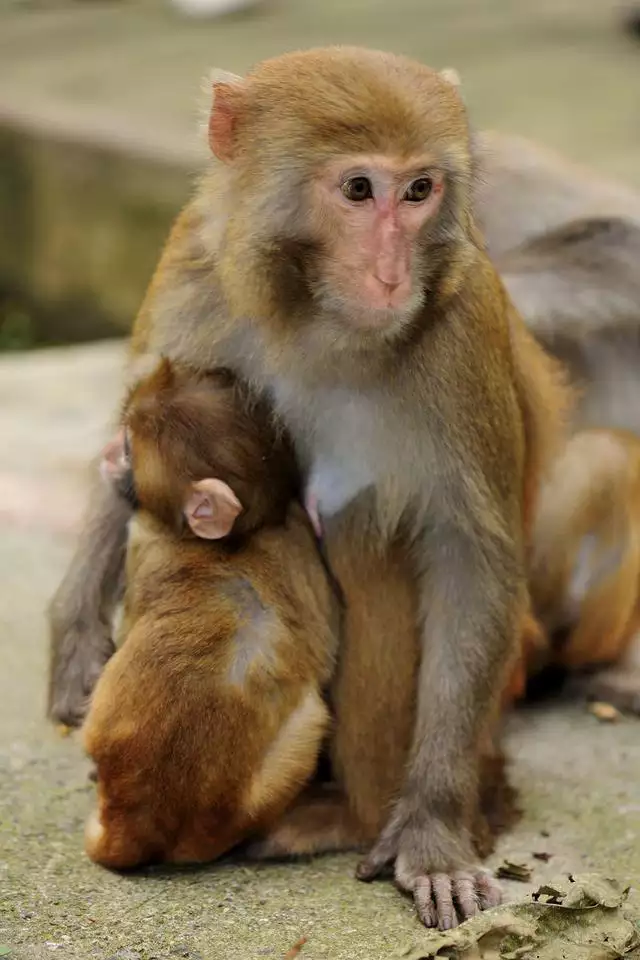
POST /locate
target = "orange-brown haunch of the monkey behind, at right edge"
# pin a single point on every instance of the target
(585, 571)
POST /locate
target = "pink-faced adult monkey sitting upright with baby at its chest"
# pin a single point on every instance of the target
(331, 259)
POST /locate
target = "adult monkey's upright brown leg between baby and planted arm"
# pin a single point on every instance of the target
(373, 690)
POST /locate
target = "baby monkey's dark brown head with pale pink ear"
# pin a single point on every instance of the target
(200, 453)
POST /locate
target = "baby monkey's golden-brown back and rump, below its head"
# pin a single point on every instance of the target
(209, 717)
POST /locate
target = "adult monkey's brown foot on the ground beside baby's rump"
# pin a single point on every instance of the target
(318, 822)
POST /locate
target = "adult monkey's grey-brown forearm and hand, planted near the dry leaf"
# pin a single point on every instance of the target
(472, 603)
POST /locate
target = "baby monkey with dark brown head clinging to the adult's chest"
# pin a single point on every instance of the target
(209, 718)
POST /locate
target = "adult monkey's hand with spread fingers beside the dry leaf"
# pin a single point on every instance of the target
(435, 866)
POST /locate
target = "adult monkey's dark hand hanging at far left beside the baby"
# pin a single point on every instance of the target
(80, 653)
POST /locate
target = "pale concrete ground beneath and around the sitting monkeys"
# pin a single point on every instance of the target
(579, 779)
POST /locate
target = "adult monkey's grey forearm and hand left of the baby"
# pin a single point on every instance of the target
(82, 609)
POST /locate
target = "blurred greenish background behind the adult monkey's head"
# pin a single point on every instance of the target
(99, 115)
